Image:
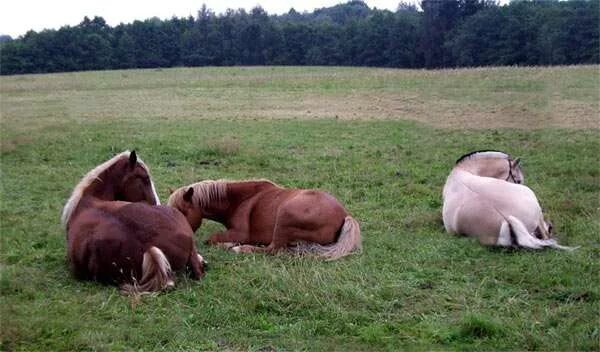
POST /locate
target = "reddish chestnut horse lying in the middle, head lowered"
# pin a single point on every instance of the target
(259, 212)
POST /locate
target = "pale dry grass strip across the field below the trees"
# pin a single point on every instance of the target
(531, 98)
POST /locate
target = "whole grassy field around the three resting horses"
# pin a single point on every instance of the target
(382, 141)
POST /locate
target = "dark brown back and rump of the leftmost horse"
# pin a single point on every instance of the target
(107, 244)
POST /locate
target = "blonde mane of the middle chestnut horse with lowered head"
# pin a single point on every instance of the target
(208, 191)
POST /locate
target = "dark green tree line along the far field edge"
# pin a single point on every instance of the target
(441, 33)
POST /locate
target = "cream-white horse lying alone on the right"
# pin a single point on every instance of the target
(484, 197)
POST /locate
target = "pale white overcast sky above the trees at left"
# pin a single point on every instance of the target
(19, 16)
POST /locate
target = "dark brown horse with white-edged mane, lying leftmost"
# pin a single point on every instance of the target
(118, 233)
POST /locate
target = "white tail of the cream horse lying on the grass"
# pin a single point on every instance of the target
(513, 232)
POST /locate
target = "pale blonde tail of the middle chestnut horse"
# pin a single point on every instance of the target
(348, 242)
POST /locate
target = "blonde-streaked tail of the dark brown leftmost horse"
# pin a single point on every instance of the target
(156, 274)
